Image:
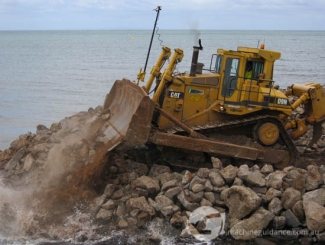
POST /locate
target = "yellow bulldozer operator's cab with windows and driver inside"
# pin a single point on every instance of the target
(247, 78)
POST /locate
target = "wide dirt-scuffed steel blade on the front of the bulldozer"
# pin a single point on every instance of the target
(131, 111)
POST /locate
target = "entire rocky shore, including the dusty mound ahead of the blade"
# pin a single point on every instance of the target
(68, 163)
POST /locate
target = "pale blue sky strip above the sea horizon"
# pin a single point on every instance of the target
(175, 14)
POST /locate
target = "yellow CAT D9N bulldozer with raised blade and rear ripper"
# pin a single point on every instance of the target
(232, 109)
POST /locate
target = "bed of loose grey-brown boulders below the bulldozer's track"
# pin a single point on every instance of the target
(255, 200)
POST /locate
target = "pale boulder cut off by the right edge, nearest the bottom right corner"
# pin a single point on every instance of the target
(315, 216)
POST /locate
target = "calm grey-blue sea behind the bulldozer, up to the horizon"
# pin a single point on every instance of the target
(48, 75)
